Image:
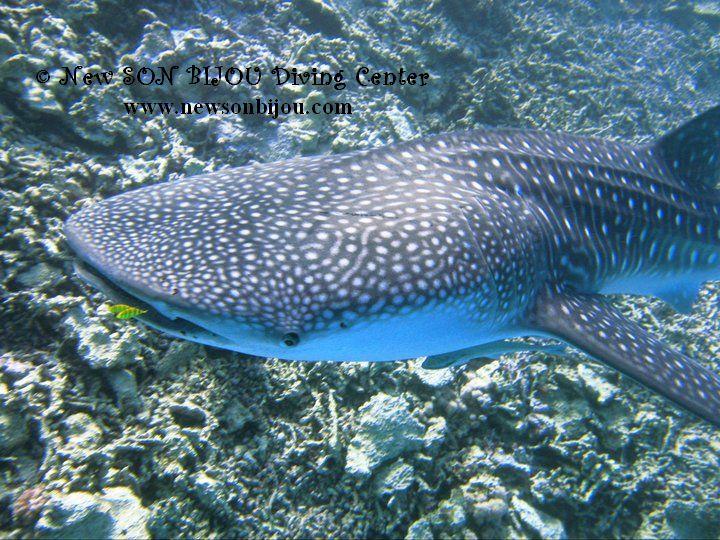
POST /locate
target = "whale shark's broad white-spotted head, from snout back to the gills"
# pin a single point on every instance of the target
(272, 266)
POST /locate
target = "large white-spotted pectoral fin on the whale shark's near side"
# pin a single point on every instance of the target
(592, 325)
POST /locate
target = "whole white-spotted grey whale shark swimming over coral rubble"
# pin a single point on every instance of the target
(447, 247)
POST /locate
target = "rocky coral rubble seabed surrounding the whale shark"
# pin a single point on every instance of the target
(110, 429)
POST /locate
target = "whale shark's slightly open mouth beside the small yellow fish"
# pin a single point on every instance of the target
(178, 327)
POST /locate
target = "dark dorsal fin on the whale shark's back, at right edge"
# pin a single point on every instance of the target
(692, 151)
